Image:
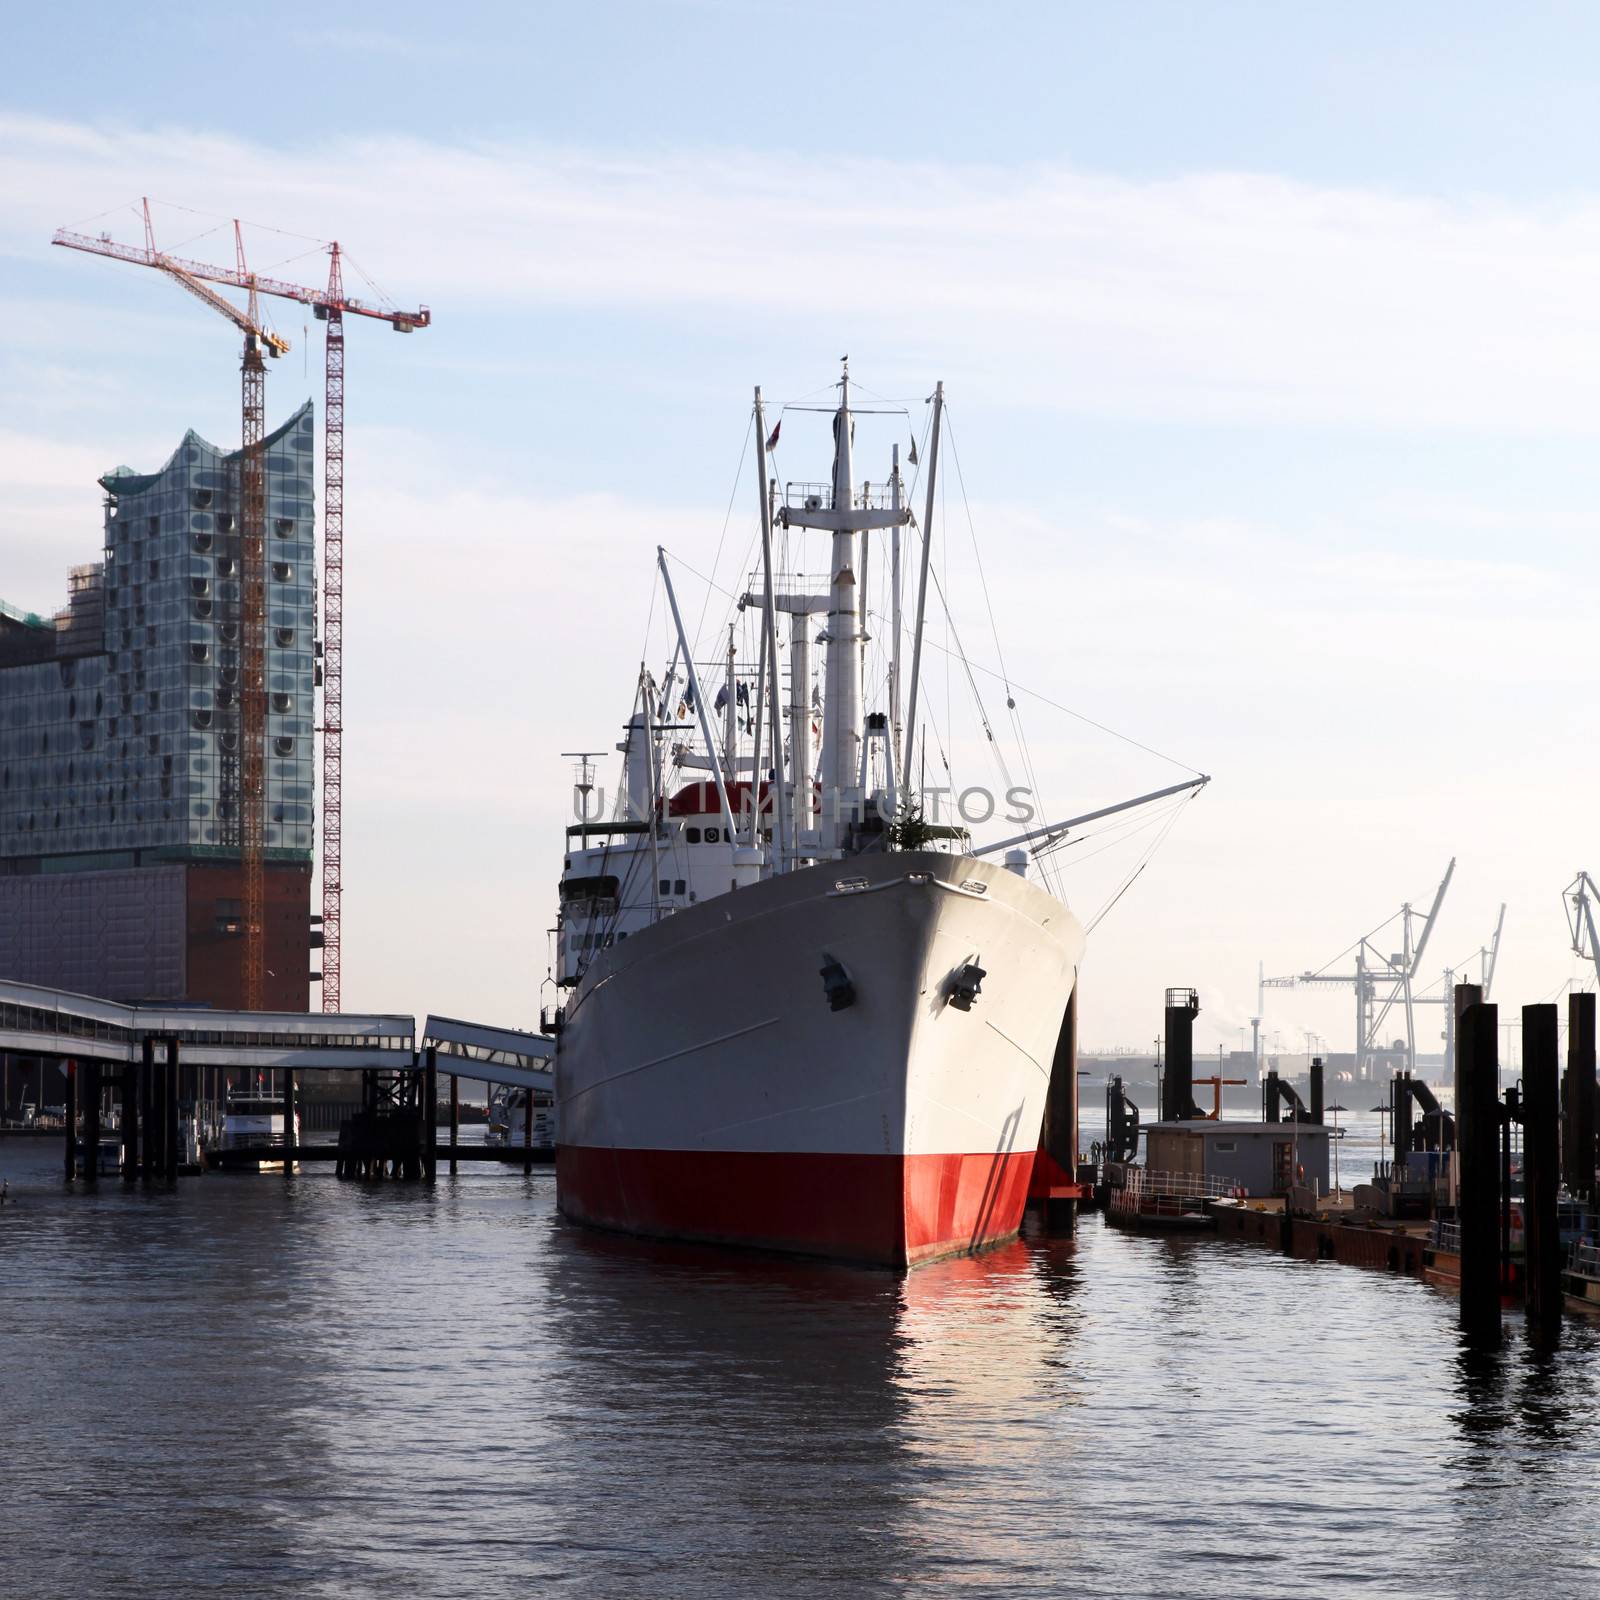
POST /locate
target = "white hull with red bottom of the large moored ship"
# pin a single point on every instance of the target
(708, 1090)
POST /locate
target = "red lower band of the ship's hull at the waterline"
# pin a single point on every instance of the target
(887, 1210)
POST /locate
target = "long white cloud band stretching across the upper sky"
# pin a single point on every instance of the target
(1217, 297)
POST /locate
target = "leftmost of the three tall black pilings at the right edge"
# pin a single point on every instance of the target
(1478, 1148)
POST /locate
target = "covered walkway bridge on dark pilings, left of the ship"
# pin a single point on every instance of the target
(153, 1062)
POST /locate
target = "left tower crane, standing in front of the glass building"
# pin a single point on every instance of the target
(246, 772)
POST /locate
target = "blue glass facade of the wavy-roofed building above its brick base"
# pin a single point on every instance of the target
(119, 719)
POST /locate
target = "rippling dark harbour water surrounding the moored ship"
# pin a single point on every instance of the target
(345, 1391)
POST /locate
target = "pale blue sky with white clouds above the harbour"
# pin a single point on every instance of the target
(1270, 337)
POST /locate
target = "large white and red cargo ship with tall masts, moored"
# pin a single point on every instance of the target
(798, 1014)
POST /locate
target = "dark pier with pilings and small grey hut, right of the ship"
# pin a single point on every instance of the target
(1442, 1207)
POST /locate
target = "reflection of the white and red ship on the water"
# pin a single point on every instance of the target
(812, 1420)
